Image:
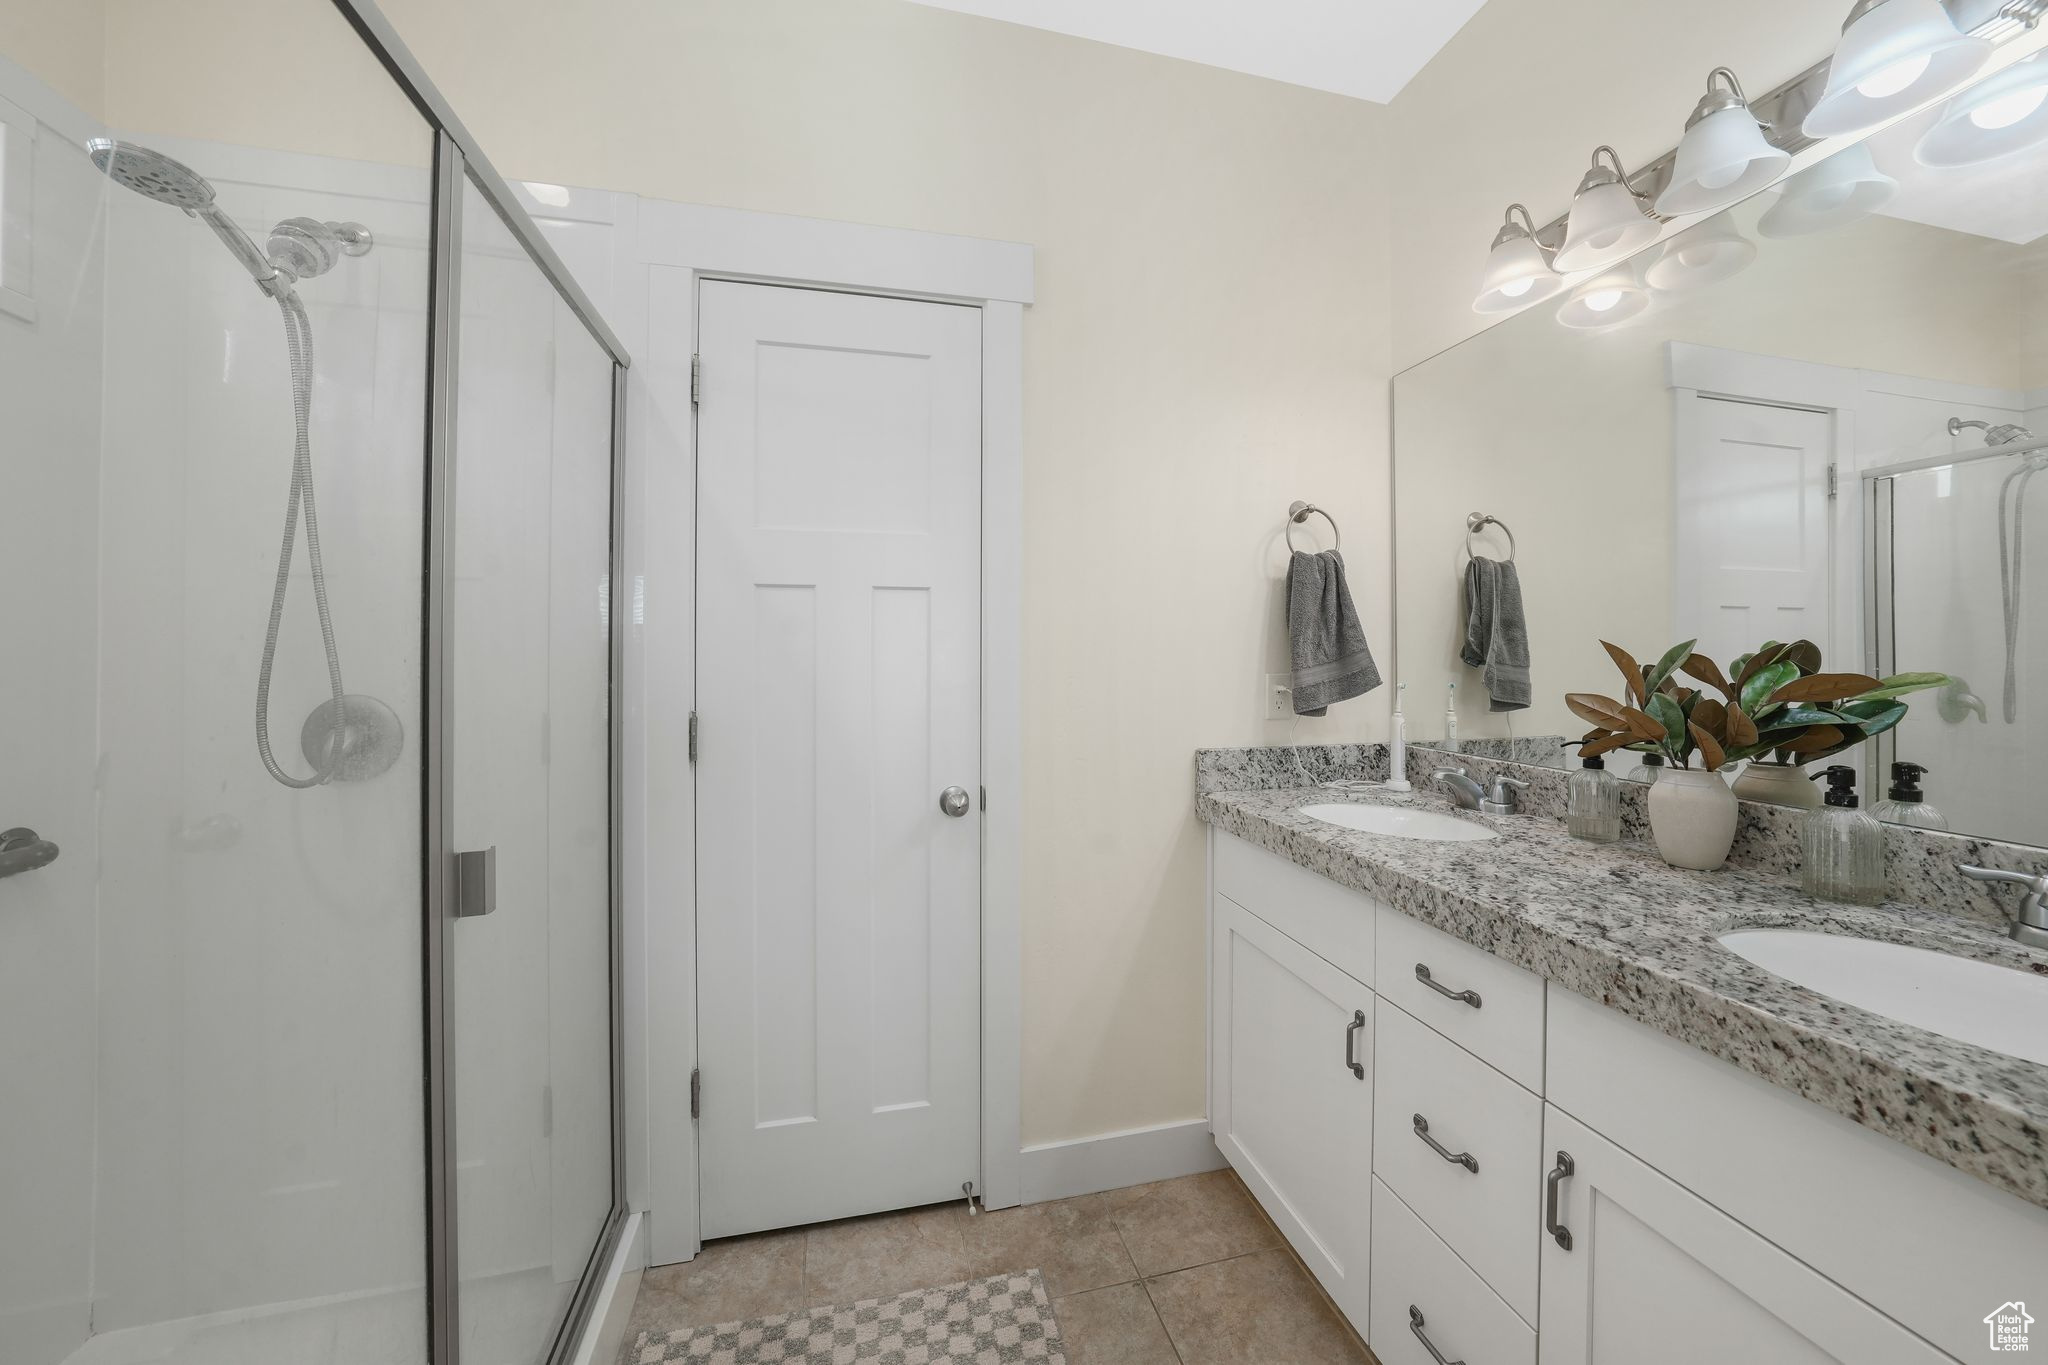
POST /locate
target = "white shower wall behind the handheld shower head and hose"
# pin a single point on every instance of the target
(261, 949)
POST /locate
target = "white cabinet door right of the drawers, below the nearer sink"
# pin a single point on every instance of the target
(1654, 1272)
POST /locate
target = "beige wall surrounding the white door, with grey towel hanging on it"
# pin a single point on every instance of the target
(1207, 347)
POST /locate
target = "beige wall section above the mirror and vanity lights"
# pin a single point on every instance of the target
(1517, 103)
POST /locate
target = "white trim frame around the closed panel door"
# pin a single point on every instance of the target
(673, 251)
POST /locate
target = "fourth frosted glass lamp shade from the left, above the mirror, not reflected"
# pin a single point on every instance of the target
(1893, 58)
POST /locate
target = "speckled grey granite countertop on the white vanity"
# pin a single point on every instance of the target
(1619, 926)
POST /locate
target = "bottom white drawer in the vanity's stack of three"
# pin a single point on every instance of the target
(1412, 1268)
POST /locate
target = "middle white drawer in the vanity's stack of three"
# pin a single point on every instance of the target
(1490, 1217)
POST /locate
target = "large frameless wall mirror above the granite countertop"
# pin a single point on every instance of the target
(1818, 416)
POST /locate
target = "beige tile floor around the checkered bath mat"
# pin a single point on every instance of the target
(1175, 1274)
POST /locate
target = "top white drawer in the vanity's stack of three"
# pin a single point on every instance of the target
(1504, 1028)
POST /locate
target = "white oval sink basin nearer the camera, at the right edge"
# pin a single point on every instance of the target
(1979, 1004)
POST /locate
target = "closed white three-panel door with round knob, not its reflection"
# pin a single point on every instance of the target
(839, 695)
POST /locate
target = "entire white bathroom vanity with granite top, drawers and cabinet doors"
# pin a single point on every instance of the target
(1512, 1102)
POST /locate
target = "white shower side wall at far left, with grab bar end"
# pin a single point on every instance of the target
(50, 394)
